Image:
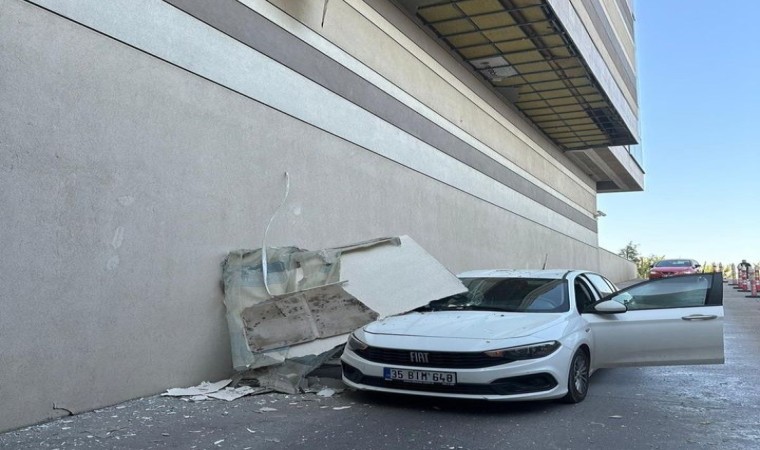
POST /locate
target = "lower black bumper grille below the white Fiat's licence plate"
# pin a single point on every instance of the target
(505, 386)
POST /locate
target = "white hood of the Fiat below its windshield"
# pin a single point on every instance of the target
(465, 324)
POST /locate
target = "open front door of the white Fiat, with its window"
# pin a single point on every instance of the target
(667, 321)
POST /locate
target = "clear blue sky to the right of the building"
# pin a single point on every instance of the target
(699, 95)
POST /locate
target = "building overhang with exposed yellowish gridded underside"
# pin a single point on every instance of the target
(539, 57)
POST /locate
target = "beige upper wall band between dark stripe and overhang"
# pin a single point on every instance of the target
(359, 30)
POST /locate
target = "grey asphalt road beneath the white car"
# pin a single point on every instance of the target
(687, 407)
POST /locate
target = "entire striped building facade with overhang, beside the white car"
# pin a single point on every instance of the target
(142, 140)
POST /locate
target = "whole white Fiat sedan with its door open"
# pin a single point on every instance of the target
(528, 335)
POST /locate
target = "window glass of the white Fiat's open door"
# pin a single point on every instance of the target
(677, 292)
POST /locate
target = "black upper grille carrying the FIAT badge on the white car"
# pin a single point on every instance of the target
(442, 360)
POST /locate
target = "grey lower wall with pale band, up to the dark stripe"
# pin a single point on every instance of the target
(137, 152)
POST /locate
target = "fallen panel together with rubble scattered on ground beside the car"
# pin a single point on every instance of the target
(289, 311)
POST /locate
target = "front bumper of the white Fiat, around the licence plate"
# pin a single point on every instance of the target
(535, 379)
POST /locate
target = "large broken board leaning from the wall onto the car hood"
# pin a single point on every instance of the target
(387, 276)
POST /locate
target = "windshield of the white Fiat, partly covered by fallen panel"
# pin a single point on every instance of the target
(508, 294)
